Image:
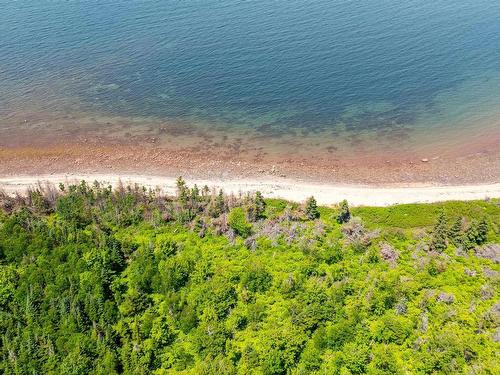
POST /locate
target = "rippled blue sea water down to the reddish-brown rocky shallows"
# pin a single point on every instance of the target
(379, 70)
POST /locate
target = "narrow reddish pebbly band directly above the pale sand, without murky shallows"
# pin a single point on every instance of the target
(204, 163)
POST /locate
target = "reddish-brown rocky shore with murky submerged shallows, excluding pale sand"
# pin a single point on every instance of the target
(34, 144)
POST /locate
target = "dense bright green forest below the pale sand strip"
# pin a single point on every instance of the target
(102, 281)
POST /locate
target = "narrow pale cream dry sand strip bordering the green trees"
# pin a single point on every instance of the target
(293, 190)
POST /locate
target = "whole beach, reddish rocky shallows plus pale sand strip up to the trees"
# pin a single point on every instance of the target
(73, 149)
